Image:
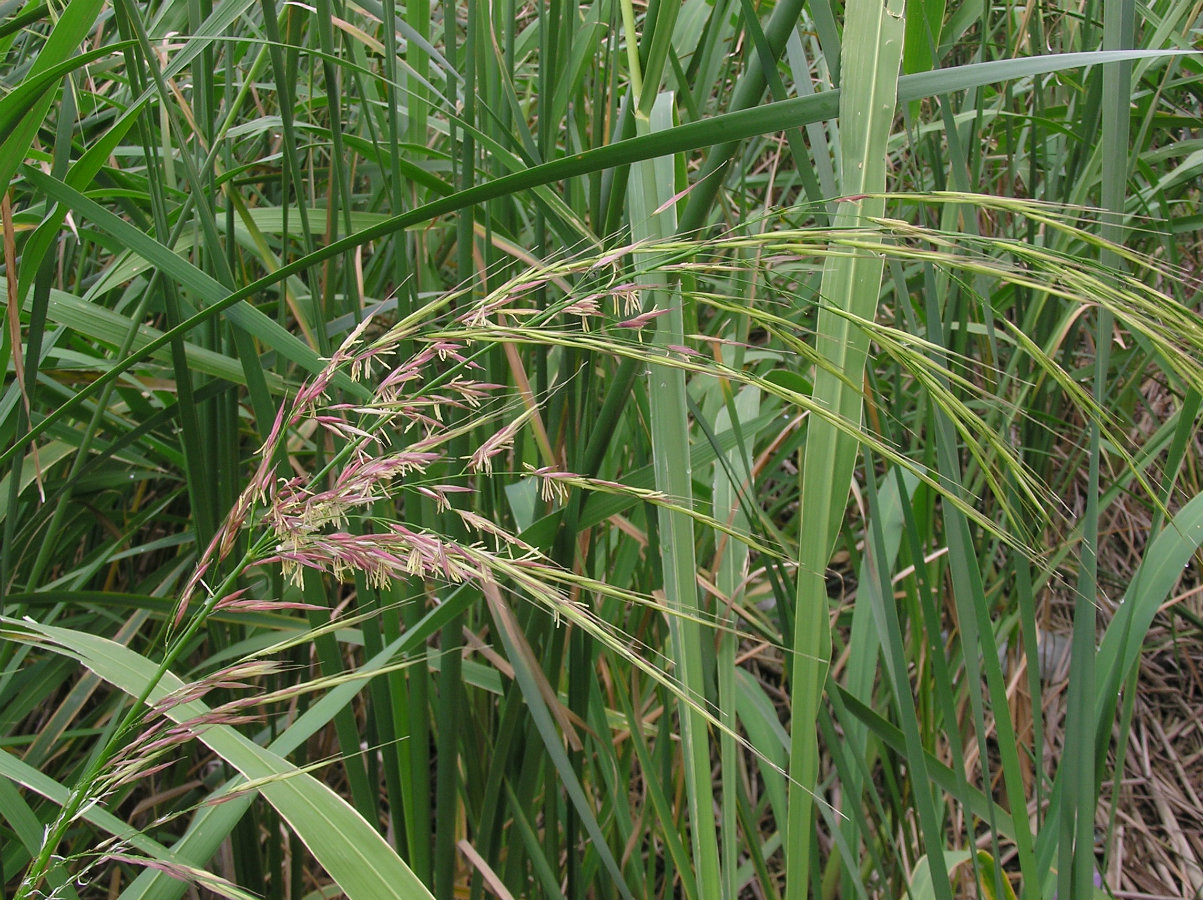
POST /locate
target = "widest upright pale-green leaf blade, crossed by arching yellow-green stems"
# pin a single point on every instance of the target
(851, 285)
